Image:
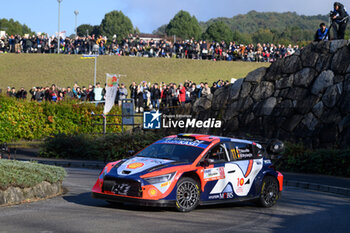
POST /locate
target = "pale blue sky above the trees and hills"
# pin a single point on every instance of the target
(147, 15)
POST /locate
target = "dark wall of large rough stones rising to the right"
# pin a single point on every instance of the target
(304, 97)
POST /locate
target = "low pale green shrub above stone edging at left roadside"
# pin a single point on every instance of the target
(27, 174)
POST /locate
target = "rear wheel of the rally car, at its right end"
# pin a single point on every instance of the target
(269, 192)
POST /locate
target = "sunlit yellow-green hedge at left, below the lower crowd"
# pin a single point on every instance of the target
(32, 120)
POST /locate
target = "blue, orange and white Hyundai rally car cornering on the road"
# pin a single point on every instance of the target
(187, 170)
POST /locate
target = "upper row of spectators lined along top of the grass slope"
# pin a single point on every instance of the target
(136, 46)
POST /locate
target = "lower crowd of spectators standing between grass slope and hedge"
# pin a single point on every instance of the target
(146, 96)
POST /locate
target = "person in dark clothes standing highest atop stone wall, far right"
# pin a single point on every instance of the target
(340, 19)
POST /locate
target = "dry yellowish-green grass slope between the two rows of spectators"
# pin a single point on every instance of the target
(30, 70)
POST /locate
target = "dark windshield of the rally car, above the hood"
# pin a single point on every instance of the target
(175, 152)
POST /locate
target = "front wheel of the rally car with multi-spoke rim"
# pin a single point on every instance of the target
(187, 194)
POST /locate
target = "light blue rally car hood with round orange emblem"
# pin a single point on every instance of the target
(139, 164)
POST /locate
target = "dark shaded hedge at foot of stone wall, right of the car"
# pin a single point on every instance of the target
(333, 162)
